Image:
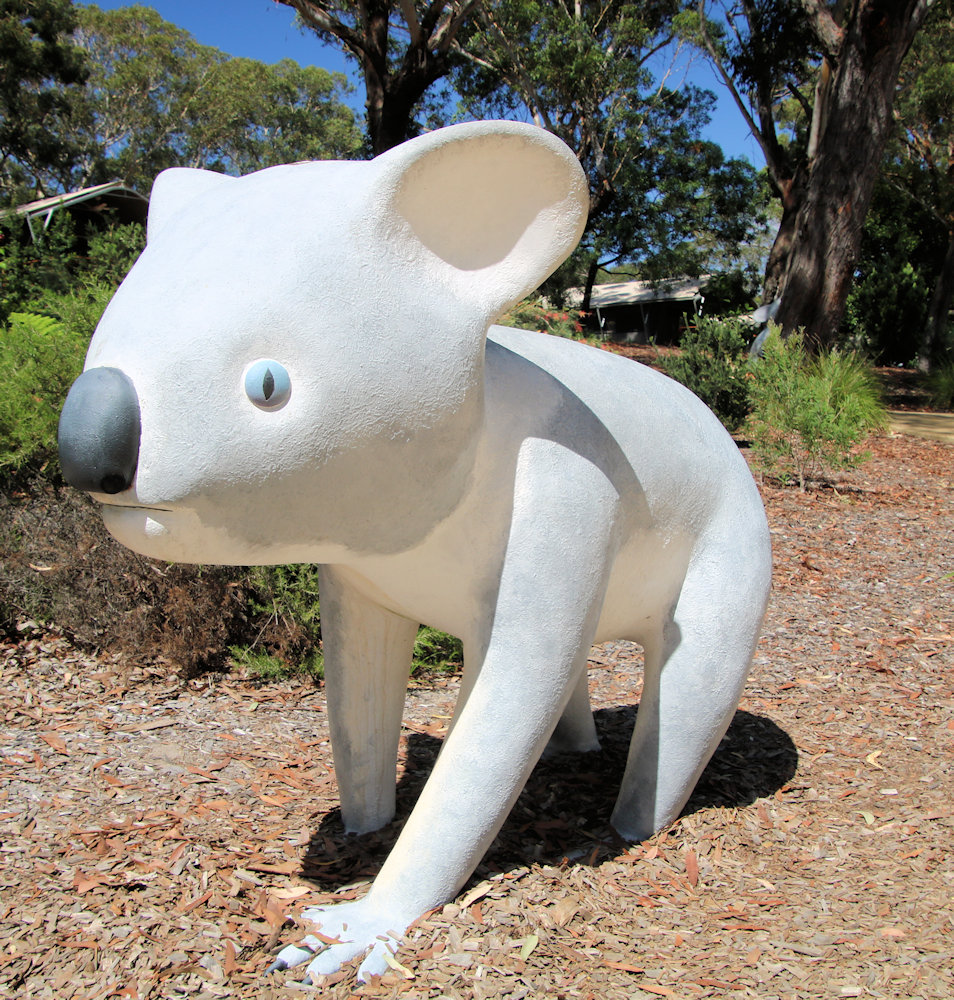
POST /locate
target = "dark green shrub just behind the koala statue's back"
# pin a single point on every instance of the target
(713, 363)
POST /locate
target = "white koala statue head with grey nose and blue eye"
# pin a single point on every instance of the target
(294, 367)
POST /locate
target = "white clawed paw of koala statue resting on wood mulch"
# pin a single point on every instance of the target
(354, 928)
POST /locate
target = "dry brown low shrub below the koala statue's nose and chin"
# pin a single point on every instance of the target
(58, 566)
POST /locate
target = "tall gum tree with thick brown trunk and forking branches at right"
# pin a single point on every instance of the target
(839, 62)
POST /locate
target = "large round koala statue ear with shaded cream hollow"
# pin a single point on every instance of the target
(501, 203)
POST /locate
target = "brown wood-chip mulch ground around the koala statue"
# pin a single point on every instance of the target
(157, 835)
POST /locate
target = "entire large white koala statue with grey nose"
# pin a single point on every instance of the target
(301, 367)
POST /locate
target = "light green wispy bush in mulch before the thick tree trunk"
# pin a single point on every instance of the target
(809, 412)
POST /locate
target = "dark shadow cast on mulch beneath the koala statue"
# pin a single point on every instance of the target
(563, 812)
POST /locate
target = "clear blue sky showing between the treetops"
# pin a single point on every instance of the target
(265, 30)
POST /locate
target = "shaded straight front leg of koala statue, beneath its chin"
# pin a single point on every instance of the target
(367, 653)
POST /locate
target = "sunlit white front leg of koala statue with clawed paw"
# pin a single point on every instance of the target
(537, 638)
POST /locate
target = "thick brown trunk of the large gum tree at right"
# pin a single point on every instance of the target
(842, 176)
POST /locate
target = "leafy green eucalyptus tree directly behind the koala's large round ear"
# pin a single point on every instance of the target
(601, 75)
